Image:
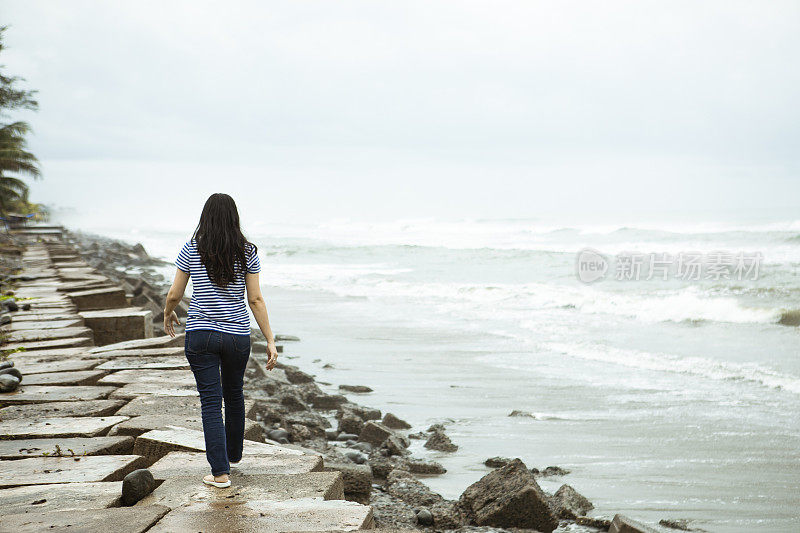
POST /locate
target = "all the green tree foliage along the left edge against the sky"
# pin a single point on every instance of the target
(15, 160)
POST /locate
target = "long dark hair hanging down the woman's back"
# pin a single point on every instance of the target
(219, 239)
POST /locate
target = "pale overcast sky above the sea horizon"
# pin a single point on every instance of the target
(319, 110)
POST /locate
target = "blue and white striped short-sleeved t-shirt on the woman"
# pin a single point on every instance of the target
(213, 307)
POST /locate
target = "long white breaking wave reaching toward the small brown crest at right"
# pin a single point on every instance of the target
(370, 281)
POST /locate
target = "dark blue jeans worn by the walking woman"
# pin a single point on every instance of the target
(210, 353)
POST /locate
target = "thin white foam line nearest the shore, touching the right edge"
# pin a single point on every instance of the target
(697, 366)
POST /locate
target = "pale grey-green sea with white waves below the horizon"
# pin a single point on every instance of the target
(656, 358)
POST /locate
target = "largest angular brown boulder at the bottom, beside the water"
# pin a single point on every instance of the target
(509, 497)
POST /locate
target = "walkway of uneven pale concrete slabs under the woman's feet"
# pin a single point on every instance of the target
(100, 397)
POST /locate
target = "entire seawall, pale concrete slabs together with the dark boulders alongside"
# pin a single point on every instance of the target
(104, 393)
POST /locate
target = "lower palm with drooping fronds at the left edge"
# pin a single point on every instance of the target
(15, 159)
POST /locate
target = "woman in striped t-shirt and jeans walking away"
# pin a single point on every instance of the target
(222, 264)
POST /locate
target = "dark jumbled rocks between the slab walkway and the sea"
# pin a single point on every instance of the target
(370, 448)
